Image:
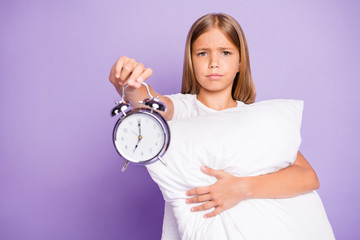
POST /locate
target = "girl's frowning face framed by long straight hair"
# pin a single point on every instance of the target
(216, 61)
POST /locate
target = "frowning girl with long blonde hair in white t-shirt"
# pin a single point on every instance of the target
(216, 76)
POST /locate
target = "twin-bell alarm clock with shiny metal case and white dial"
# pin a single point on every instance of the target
(140, 135)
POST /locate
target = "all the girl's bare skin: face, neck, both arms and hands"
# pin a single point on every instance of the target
(213, 53)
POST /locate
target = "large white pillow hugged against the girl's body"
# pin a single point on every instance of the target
(256, 139)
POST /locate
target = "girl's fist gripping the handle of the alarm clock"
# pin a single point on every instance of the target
(127, 71)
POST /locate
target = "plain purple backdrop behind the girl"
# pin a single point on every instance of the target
(59, 173)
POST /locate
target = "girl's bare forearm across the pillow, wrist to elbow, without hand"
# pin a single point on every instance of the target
(294, 180)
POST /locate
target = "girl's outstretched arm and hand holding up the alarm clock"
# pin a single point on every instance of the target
(128, 71)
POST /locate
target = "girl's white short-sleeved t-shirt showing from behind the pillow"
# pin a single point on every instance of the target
(185, 106)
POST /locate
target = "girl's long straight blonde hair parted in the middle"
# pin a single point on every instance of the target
(243, 88)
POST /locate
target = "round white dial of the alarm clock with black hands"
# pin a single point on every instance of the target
(139, 137)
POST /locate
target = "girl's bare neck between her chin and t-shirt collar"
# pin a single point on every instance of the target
(216, 101)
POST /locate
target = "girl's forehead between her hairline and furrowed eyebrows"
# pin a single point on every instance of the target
(214, 38)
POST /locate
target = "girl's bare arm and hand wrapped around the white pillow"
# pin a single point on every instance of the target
(229, 190)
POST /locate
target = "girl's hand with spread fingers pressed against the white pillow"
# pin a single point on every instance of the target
(227, 192)
